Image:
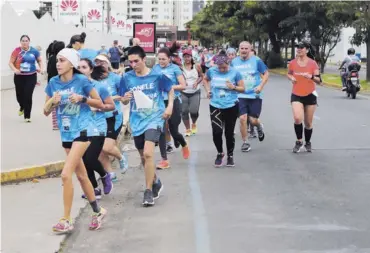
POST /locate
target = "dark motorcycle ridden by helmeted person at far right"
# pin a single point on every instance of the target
(352, 79)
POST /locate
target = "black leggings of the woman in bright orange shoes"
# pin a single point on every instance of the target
(173, 125)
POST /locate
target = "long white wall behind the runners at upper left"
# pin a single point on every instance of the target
(42, 32)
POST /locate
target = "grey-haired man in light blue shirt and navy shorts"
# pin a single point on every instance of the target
(250, 101)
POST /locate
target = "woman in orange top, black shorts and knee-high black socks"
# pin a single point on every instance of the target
(304, 73)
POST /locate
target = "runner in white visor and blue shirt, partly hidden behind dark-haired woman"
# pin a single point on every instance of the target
(114, 118)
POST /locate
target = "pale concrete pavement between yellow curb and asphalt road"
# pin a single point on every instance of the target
(31, 209)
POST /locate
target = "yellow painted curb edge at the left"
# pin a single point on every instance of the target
(24, 174)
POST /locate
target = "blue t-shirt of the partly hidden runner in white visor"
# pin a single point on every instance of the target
(112, 83)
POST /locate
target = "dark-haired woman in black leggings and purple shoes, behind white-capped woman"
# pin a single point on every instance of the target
(91, 156)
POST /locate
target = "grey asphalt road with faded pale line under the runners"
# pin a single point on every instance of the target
(273, 201)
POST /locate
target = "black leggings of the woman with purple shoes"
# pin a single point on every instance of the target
(91, 161)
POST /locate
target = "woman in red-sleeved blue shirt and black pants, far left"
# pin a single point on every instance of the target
(23, 63)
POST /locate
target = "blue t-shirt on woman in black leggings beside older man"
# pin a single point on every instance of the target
(222, 97)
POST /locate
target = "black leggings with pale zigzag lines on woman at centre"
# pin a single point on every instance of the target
(224, 119)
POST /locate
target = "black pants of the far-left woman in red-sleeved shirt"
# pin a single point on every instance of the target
(24, 87)
